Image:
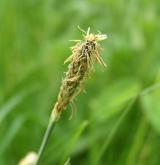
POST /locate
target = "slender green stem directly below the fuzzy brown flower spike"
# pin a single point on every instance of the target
(47, 134)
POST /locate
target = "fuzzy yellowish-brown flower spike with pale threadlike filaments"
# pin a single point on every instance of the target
(84, 54)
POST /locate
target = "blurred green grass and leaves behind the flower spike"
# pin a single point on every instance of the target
(111, 126)
